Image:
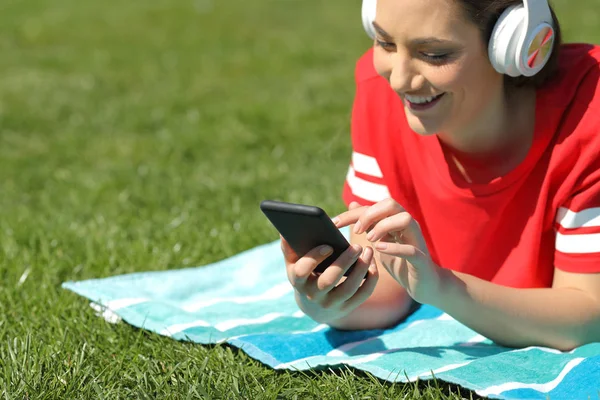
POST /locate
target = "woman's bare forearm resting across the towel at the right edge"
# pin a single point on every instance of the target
(559, 318)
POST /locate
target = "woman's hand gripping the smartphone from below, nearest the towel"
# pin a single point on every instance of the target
(328, 297)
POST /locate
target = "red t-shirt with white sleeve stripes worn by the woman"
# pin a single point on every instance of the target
(513, 231)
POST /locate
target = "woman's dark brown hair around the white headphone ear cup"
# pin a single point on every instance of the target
(485, 14)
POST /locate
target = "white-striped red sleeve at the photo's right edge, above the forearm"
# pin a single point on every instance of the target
(577, 246)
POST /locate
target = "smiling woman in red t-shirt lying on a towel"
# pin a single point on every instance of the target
(470, 189)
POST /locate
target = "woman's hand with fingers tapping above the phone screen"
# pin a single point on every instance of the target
(395, 233)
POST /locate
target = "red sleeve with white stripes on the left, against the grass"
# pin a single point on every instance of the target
(364, 182)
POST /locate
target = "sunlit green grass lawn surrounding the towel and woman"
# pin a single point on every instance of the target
(141, 135)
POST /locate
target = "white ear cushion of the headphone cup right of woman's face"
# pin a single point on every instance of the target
(502, 48)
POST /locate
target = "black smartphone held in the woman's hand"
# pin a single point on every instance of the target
(305, 227)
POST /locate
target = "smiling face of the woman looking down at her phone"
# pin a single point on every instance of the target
(434, 58)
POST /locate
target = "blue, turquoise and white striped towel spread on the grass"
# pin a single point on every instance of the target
(247, 302)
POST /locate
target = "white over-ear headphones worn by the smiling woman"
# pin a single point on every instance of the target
(521, 42)
